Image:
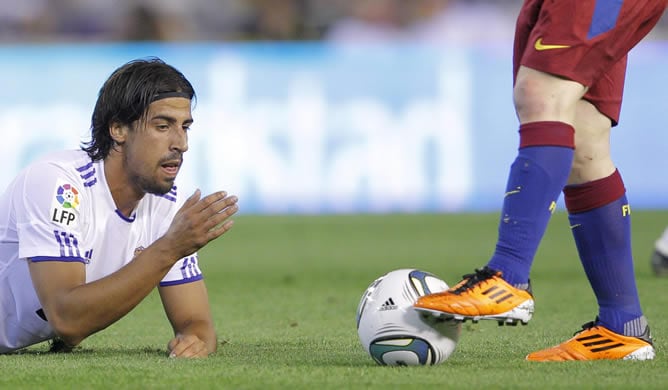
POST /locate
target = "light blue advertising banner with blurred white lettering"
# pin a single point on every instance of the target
(308, 128)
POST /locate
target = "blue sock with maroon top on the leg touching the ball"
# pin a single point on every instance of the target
(536, 179)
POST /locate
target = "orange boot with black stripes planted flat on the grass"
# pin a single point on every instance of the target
(595, 342)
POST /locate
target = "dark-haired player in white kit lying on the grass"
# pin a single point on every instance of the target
(86, 235)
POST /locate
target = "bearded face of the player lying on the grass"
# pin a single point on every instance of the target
(154, 151)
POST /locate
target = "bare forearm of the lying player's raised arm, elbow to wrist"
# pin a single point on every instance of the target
(88, 308)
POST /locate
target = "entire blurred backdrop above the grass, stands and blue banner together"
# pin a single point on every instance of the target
(314, 106)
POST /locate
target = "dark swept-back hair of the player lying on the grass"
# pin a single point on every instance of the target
(126, 95)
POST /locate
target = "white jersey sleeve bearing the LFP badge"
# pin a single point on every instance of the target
(47, 212)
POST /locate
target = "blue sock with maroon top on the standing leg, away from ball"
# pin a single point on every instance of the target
(600, 220)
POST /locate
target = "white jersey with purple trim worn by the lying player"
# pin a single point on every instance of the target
(60, 209)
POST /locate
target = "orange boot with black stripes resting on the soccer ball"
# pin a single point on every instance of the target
(483, 295)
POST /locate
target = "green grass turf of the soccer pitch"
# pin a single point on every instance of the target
(284, 291)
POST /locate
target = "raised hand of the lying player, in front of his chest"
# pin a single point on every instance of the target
(201, 220)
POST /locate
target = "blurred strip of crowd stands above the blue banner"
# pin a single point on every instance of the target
(28, 21)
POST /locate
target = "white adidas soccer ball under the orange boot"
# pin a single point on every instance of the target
(393, 332)
